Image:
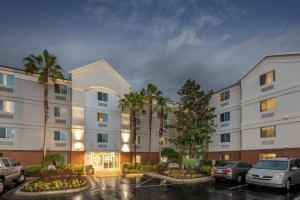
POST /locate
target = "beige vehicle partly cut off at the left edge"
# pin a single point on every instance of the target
(10, 171)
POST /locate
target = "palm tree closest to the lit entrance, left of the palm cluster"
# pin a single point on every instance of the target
(133, 103)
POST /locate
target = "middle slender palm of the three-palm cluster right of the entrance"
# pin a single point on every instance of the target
(150, 94)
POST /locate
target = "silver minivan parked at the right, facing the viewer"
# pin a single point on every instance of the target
(275, 172)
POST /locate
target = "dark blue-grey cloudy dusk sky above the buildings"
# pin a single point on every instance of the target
(152, 41)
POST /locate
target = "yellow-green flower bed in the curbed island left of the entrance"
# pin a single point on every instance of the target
(55, 183)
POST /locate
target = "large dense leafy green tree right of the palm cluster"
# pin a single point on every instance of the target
(194, 119)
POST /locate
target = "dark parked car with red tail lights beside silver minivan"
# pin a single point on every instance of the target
(231, 170)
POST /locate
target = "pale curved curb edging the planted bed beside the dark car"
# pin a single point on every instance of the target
(184, 181)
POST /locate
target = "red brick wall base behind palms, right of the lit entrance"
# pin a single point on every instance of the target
(146, 157)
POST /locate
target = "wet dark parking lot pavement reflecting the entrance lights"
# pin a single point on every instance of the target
(147, 188)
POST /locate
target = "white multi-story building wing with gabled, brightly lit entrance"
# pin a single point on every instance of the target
(85, 121)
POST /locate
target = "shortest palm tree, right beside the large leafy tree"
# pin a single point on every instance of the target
(162, 109)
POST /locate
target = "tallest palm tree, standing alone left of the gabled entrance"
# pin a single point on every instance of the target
(46, 67)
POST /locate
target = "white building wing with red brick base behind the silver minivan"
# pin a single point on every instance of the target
(264, 112)
